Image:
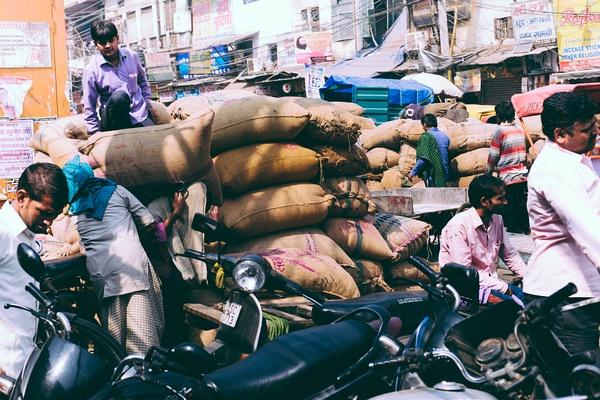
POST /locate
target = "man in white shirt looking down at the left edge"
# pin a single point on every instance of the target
(41, 196)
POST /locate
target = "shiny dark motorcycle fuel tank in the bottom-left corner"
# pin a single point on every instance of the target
(61, 370)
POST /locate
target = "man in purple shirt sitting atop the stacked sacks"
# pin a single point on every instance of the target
(116, 76)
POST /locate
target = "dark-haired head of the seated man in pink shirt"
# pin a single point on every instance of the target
(487, 193)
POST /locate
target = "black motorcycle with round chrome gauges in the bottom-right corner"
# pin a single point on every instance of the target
(505, 350)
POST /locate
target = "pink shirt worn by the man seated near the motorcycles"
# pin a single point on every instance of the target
(466, 241)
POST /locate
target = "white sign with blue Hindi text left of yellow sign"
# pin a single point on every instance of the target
(533, 21)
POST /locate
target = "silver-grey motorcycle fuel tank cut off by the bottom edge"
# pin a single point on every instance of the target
(441, 391)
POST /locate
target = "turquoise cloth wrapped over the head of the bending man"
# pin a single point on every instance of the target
(87, 194)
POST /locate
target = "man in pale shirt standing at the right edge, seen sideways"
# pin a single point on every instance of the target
(564, 212)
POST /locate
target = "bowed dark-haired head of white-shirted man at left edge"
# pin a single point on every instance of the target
(41, 196)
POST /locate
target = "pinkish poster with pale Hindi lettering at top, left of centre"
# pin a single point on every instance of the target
(210, 20)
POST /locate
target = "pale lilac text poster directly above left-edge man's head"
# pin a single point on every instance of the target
(15, 153)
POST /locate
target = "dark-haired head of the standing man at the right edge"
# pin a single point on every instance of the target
(569, 120)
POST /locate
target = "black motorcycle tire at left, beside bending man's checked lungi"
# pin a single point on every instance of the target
(96, 340)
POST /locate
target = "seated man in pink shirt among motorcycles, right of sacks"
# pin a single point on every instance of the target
(477, 238)
